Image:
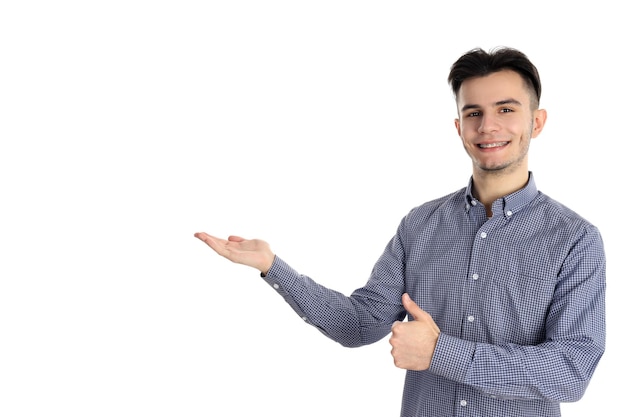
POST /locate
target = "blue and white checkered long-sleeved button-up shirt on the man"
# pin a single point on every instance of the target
(519, 299)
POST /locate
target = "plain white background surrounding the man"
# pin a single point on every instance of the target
(126, 126)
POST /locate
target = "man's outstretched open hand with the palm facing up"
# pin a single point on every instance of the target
(255, 253)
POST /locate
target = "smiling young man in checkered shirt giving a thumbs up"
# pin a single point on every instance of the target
(504, 288)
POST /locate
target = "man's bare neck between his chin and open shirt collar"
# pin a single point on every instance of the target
(487, 187)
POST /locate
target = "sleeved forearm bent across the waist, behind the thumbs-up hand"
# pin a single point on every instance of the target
(553, 371)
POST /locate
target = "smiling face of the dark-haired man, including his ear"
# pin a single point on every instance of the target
(497, 120)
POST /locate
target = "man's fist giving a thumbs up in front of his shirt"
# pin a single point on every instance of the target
(413, 342)
